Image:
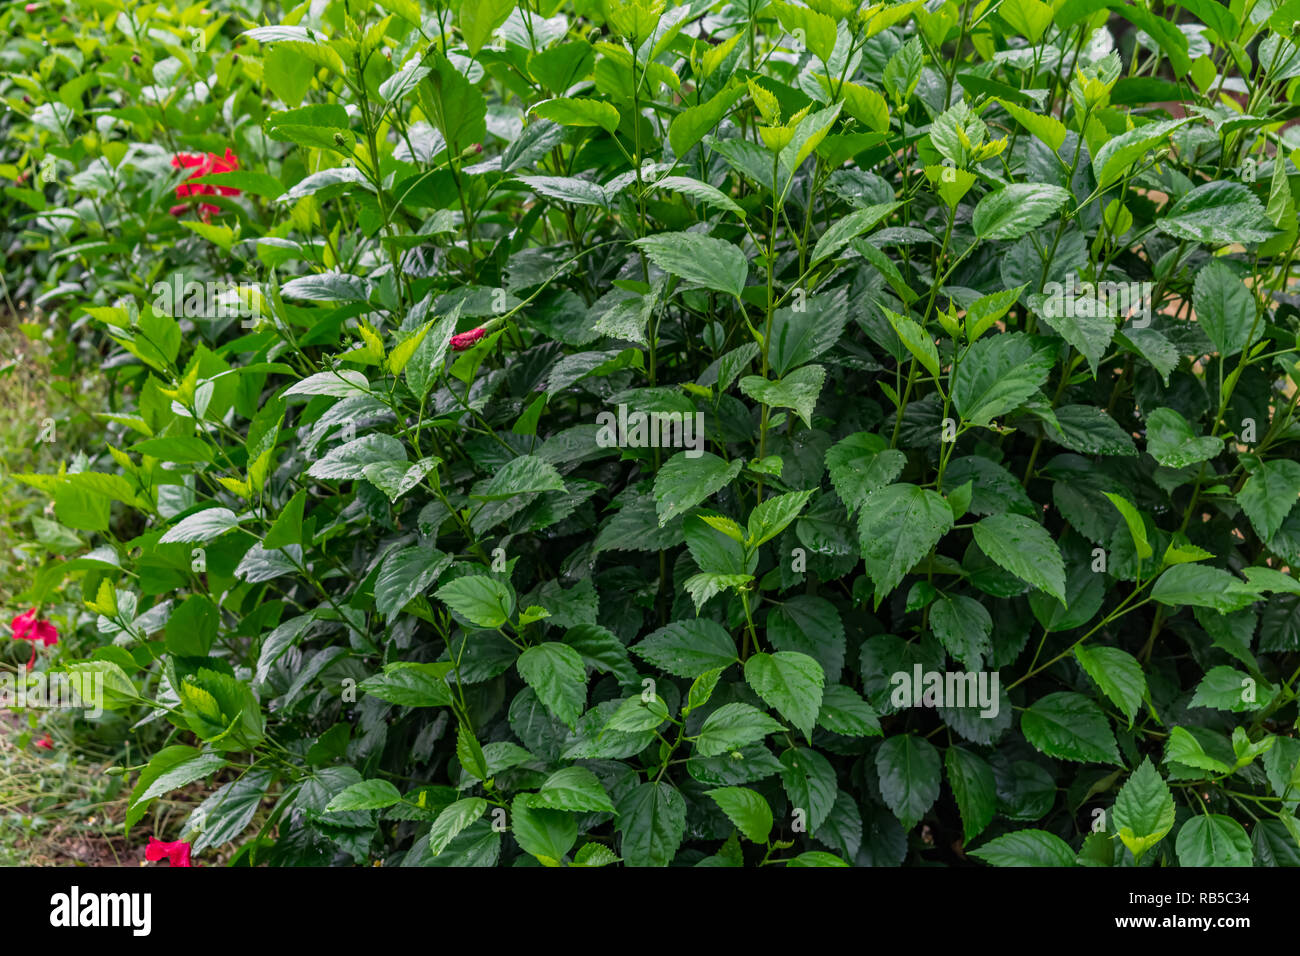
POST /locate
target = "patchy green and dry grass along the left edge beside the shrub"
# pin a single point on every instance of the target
(58, 807)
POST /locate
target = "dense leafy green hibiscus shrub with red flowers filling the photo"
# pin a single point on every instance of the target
(575, 434)
